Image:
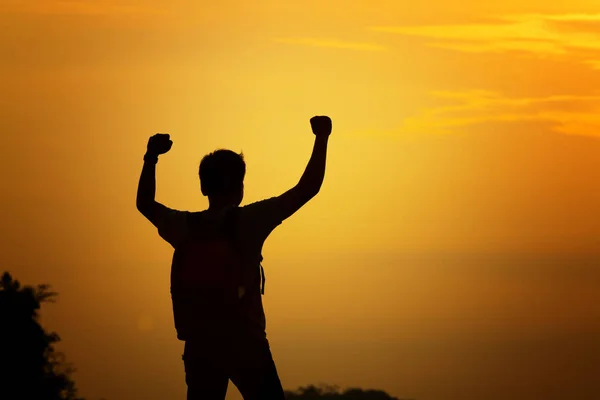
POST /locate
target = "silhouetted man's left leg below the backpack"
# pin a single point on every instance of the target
(205, 373)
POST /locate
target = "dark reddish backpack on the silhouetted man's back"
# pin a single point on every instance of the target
(207, 276)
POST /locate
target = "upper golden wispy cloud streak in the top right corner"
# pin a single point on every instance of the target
(539, 34)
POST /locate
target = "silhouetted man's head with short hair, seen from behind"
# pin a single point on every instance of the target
(222, 172)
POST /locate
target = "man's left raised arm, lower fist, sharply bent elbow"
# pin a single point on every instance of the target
(145, 202)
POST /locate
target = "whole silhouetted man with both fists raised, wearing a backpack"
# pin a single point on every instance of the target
(216, 273)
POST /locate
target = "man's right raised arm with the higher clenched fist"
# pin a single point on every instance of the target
(312, 179)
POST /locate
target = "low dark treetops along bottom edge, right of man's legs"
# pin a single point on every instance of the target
(327, 392)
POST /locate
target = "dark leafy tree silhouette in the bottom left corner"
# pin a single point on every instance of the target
(30, 367)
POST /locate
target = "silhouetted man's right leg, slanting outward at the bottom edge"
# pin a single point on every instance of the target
(254, 372)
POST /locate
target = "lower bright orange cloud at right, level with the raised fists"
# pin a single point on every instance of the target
(579, 115)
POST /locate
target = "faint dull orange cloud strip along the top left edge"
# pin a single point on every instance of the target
(77, 7)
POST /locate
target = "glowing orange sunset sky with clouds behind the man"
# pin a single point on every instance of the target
(453, 250)
